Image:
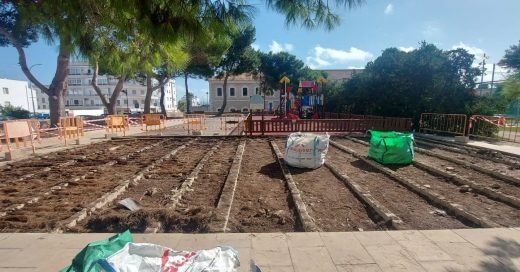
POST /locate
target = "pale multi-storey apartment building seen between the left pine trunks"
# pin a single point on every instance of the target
(83, 100)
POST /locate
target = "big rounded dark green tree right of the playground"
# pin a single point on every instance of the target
(403, 84)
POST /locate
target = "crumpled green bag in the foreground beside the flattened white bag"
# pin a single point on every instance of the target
(87, 258)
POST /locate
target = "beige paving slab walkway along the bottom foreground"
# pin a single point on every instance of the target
(429, 250)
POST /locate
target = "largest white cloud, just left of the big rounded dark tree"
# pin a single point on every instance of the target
(322, 56)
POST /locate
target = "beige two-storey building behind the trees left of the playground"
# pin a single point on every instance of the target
(239, 90)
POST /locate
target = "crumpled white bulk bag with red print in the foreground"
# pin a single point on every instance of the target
(145, 257)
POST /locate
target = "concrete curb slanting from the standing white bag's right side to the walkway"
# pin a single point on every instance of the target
(388, 216)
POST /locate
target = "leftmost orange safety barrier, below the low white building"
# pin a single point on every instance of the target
(18, 130)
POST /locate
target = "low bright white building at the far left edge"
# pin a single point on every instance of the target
(17, 93)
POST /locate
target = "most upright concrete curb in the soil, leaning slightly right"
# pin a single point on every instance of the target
(225, 201)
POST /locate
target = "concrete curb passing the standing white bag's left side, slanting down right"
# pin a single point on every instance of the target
(306, 220)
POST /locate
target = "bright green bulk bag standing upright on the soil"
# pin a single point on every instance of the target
(391, 147)
